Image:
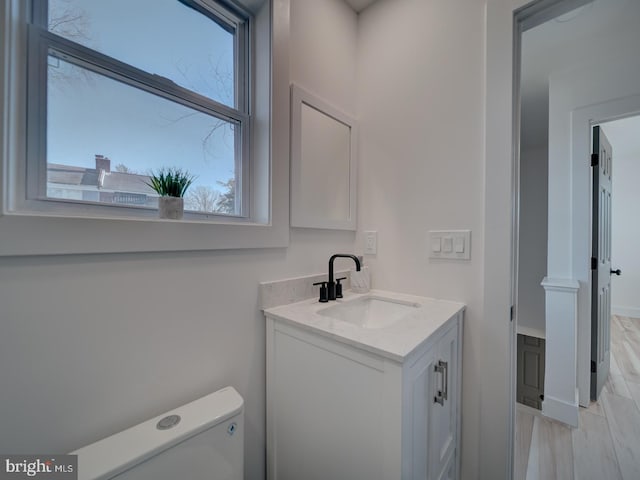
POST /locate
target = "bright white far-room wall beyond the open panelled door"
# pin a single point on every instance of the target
(626, 233)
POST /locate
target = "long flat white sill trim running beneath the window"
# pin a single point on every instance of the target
(34, 234)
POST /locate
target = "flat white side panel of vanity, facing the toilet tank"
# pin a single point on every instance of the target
(328, 415)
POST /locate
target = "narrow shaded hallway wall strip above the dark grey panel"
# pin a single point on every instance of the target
(532, 249)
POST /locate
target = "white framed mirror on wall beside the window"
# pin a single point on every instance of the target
(323, 164)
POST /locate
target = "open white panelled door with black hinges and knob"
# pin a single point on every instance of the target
(600, 262)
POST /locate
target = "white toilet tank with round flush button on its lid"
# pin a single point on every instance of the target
(202, 440)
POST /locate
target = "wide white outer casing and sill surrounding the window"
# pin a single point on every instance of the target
(25, 230)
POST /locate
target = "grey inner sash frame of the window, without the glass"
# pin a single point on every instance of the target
(42, 43)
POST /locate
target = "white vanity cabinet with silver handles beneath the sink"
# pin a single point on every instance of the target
(340, 408)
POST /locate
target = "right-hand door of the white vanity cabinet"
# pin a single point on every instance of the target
(443, 406)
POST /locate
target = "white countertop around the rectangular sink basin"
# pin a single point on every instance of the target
(395, 341)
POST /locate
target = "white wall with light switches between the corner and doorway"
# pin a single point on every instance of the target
(420, 89)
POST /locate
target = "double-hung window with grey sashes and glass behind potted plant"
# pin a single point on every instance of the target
(120, 88)
